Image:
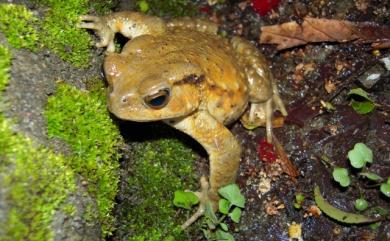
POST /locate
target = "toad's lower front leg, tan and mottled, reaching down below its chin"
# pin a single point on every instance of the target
(224, 154)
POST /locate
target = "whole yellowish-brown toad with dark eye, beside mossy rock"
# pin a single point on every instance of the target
(183, 73)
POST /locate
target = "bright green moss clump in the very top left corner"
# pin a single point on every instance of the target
(17, 23)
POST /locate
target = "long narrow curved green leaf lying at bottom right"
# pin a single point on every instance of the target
(338, 214)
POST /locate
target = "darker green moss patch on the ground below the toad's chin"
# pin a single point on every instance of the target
(160, 167)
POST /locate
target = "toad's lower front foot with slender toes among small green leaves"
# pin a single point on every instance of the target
(207, 200)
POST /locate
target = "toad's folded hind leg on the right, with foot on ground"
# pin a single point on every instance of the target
(263, 94)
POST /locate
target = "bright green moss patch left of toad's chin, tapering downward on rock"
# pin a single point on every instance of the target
(81, 119)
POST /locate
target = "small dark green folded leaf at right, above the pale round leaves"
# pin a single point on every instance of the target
(360, 101)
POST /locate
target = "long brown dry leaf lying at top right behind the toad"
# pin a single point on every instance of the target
(292, 34)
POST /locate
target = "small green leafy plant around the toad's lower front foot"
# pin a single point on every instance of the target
(230, 205)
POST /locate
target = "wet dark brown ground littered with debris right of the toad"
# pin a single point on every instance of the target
(304, 74)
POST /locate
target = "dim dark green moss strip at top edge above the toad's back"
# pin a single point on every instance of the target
(168, 8)
